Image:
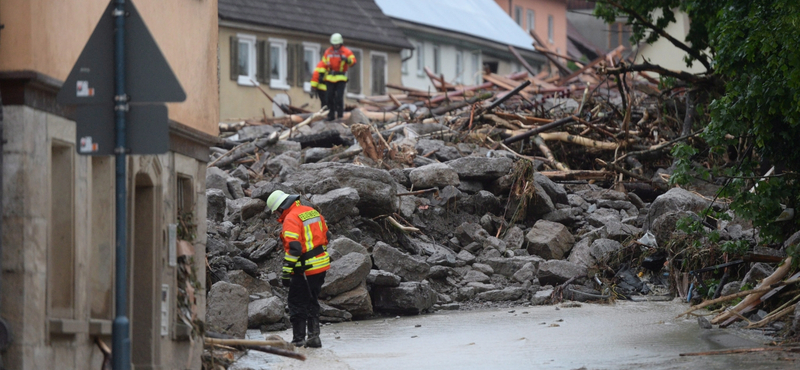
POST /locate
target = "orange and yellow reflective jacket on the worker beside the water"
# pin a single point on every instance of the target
(305, 239)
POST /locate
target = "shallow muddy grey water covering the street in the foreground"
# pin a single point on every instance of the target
(625, 335)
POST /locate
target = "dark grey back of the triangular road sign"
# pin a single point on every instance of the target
(149, 78)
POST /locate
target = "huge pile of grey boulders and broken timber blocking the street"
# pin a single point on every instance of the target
(521, 189)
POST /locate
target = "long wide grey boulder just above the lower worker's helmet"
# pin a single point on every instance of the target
(376, 188)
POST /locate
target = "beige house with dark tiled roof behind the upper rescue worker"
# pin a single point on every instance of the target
(274, 45)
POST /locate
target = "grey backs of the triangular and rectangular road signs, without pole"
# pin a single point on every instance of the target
(149, 82)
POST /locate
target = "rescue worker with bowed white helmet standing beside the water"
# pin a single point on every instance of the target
(305, 241)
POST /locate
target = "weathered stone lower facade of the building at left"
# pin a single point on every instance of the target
(26, 221)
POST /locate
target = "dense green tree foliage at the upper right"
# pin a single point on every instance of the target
(752, 49)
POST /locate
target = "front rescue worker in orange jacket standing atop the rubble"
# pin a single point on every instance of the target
(337, 60)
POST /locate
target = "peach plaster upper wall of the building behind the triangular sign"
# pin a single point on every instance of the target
(48, 36)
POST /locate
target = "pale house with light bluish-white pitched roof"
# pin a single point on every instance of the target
(458, 39)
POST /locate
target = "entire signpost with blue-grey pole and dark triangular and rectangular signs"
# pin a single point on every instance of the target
(121, 77)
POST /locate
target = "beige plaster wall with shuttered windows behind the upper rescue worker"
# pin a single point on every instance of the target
(239, 102)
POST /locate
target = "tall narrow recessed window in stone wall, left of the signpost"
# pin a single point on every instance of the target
(61, 249)
